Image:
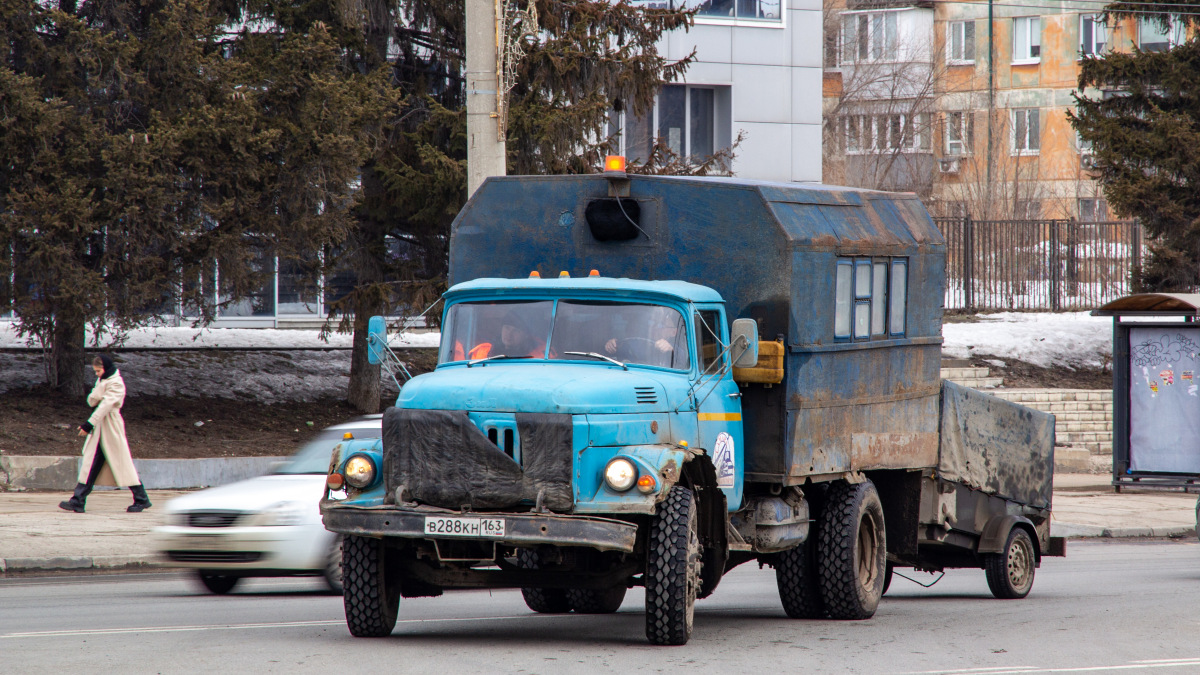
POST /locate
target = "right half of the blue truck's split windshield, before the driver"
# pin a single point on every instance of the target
(629, 333)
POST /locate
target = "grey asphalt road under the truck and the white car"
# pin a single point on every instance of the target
(1107, 608)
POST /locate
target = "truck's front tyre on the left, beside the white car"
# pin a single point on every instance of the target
(370, 595)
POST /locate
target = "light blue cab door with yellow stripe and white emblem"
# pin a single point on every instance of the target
(719, 411)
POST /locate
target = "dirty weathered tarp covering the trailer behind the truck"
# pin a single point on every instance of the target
(997, 446)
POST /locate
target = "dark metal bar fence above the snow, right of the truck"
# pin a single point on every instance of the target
(1039, 265)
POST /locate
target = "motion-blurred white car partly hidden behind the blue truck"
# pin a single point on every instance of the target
(267, 527)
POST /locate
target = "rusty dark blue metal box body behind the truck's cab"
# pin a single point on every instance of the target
(772, 252)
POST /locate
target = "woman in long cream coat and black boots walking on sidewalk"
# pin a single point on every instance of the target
(106, 453)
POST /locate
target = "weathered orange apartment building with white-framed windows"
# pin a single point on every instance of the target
(975, 116)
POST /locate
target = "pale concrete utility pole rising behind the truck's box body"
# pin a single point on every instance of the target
(485, 144)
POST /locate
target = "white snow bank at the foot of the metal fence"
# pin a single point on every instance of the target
(1070, 341)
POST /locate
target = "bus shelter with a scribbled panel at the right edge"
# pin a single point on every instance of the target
(1156, 390)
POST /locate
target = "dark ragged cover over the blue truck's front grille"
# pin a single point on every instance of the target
(445, 461)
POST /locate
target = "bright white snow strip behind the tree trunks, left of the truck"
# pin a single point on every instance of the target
(230, 339)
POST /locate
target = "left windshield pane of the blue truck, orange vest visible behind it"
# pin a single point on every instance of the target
(482, 331)
